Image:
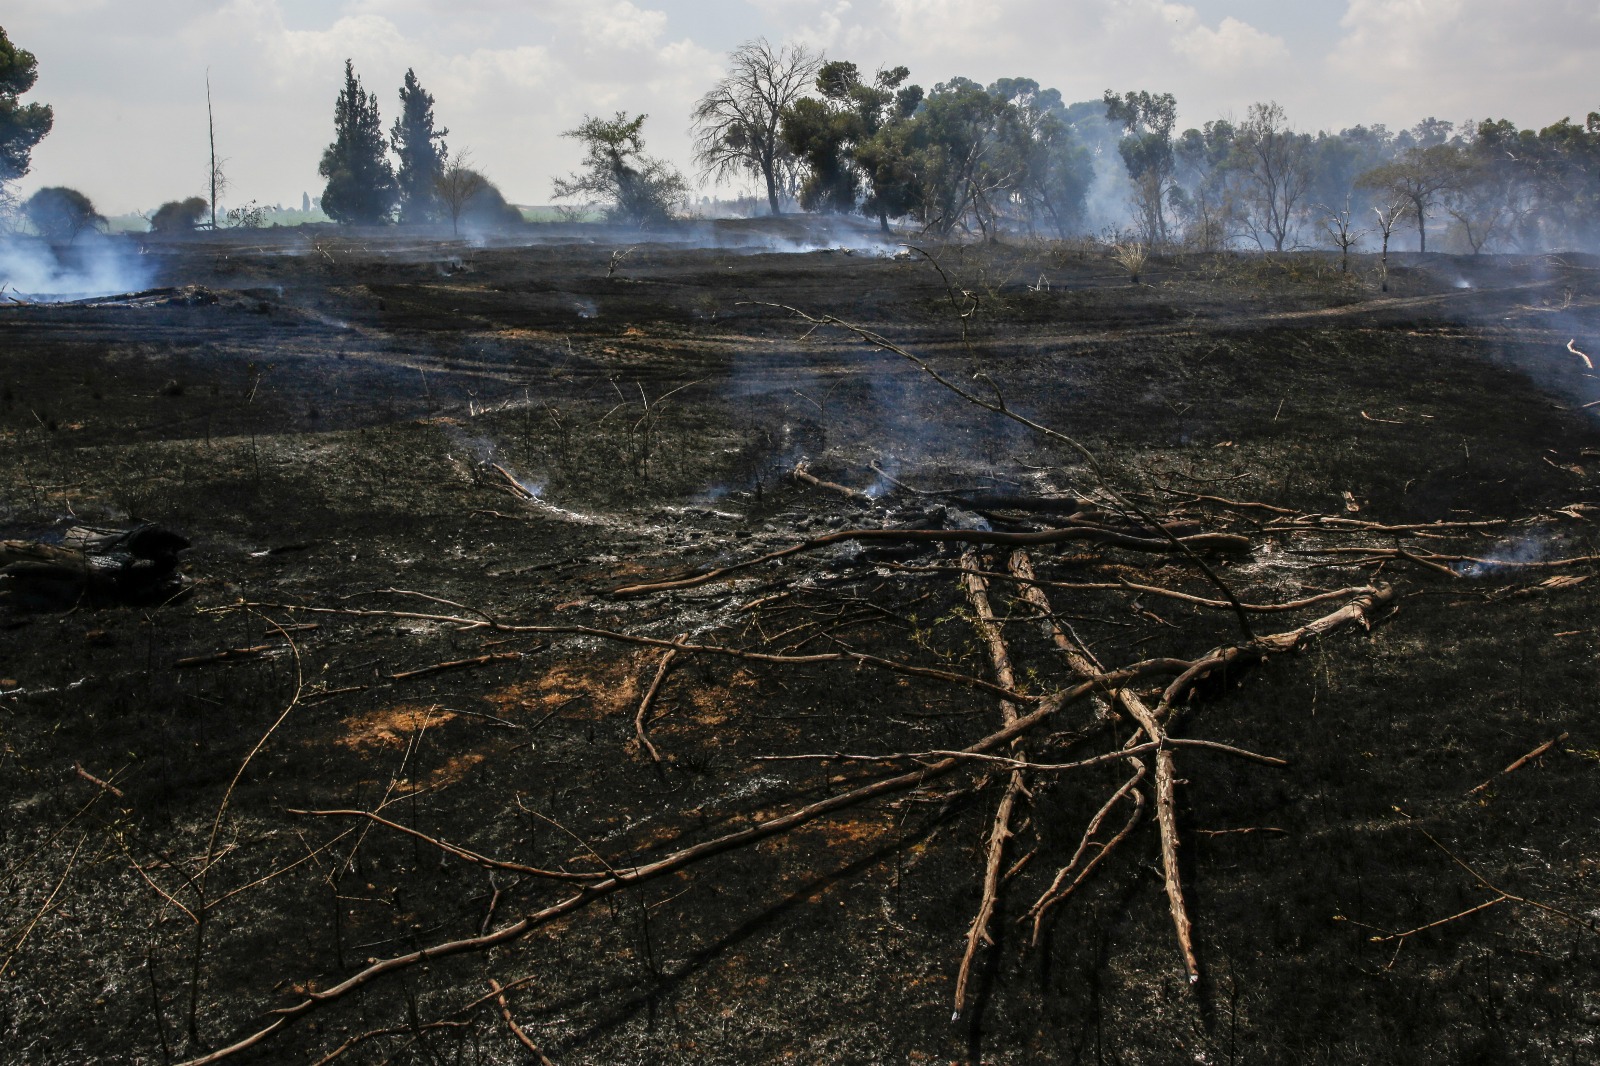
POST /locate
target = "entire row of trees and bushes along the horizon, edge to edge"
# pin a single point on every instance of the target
(961, 159)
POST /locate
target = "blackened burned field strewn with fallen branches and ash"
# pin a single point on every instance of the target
(492, 711)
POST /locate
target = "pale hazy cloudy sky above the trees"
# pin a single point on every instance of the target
(129, 79)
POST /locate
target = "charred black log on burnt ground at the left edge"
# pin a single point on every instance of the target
(129, 564)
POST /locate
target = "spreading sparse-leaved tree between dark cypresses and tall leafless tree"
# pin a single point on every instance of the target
(617, 174)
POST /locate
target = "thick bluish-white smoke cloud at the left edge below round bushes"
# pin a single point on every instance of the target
(95, 265)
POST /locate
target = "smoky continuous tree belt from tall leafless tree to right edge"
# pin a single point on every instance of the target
(1015, 158)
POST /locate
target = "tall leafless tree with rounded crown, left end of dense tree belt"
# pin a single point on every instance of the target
(738, 122)
